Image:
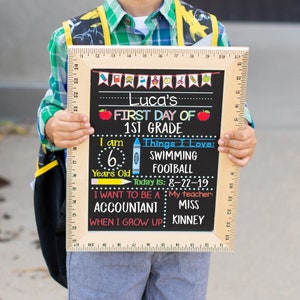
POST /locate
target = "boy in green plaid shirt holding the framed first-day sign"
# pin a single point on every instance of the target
(146, 275)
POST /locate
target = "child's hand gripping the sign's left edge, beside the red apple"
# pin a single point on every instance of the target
(66, 129)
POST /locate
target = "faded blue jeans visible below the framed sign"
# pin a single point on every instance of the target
(137, 275)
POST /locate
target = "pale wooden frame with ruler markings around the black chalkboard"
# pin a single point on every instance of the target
(81, 60)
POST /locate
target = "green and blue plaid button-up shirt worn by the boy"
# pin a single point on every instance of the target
(162, 31)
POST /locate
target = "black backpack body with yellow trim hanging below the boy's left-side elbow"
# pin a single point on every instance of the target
(50, 210)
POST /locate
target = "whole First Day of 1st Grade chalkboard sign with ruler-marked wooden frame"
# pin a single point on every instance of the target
(151, 178)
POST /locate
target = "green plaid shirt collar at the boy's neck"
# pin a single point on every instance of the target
(115, 13)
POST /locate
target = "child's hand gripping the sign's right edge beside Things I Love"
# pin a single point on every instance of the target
(239, 145)
